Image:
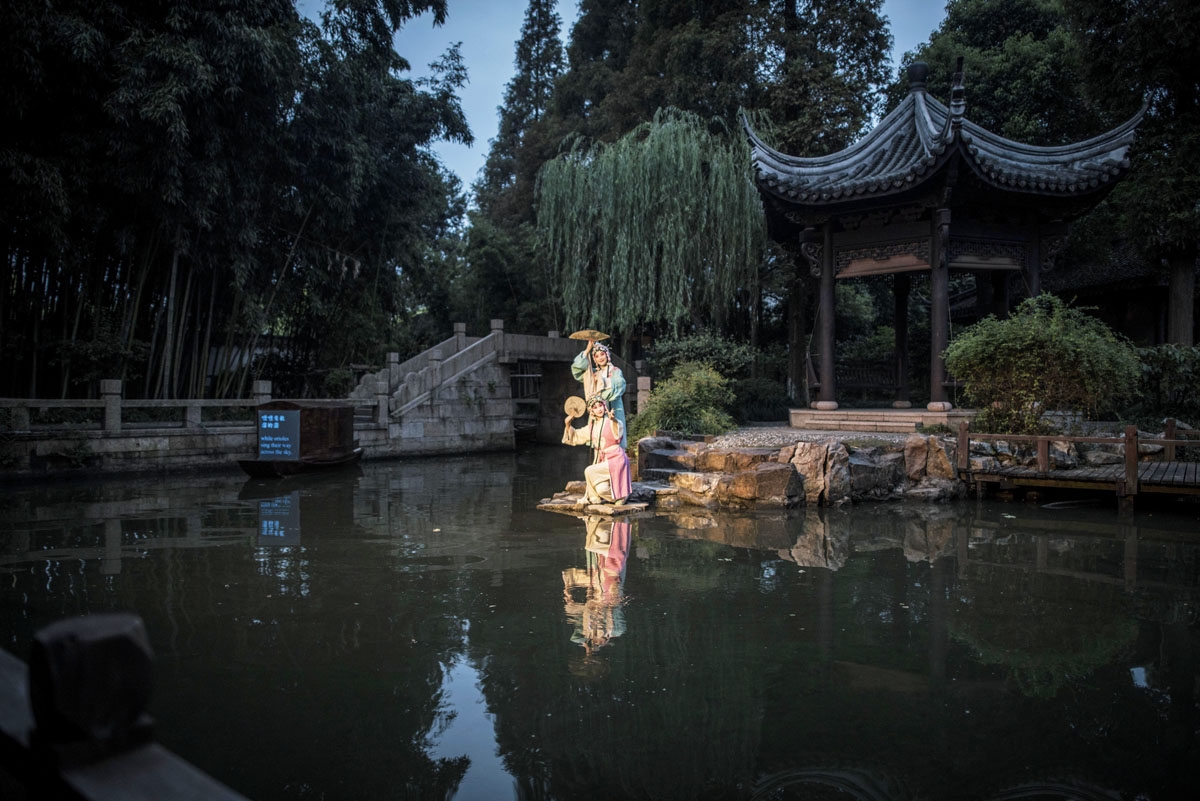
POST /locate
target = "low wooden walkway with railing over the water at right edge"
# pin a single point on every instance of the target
(1126, 480)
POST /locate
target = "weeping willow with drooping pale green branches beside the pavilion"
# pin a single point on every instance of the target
(663, 226)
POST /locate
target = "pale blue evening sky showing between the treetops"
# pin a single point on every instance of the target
(490, 29)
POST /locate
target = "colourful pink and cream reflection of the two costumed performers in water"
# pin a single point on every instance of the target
(599, 618)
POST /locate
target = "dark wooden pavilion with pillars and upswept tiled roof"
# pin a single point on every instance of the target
(929, 191)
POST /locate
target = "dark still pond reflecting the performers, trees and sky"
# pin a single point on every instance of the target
(419, 630)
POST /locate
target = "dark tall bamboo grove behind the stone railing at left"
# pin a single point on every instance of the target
(194, 192)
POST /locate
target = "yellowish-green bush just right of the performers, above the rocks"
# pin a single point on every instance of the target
(694, 401)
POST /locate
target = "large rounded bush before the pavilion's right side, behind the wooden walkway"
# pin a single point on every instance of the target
(1047, 357)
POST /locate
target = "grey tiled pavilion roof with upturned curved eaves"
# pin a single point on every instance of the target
(916, 140)
